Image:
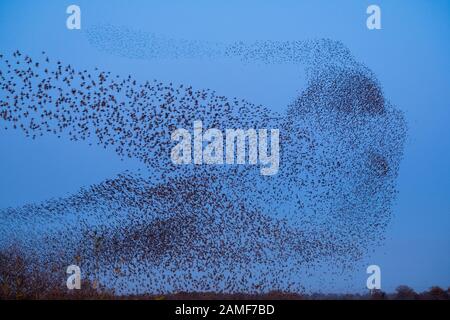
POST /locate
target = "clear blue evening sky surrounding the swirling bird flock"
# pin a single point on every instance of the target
(410, 57)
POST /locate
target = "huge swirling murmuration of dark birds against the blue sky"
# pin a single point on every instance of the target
(208, 228)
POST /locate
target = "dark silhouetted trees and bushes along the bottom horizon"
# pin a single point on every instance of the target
(21, 279)
